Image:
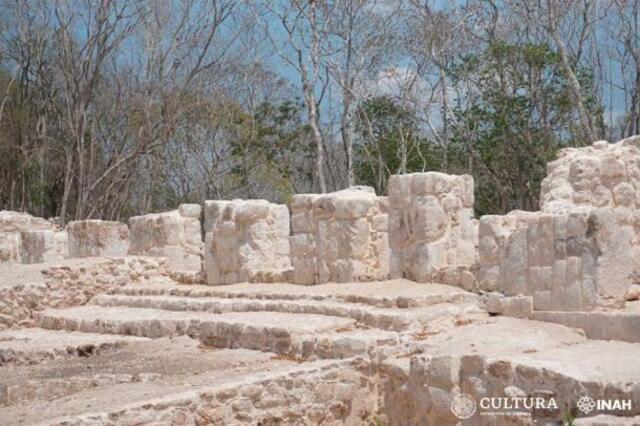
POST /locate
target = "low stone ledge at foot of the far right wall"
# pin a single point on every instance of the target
(603, 324)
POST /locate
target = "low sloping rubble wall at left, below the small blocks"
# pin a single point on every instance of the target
(70, 283)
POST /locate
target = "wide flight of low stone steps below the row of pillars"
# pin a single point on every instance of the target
(259, 317)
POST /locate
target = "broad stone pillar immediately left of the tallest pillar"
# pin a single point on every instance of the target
(339, 237)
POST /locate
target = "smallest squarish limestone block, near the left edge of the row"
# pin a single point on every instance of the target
(43, 246)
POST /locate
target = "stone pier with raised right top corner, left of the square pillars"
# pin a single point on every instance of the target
(176, 235)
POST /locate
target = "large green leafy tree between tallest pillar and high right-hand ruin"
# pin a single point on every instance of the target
(518, 117)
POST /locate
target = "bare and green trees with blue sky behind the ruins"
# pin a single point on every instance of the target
(114, 108)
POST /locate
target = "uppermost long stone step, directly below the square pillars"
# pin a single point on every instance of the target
(397, 293)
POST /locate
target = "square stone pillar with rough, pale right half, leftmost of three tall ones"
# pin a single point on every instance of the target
(246, 240)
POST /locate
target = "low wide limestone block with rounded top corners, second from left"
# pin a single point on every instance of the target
(88, 238)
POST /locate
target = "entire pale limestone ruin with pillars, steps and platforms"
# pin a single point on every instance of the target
(407, 302)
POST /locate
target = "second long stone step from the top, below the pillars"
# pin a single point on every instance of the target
(382, 318)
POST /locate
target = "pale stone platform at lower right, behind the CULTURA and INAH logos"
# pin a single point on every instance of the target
(508, 357)
